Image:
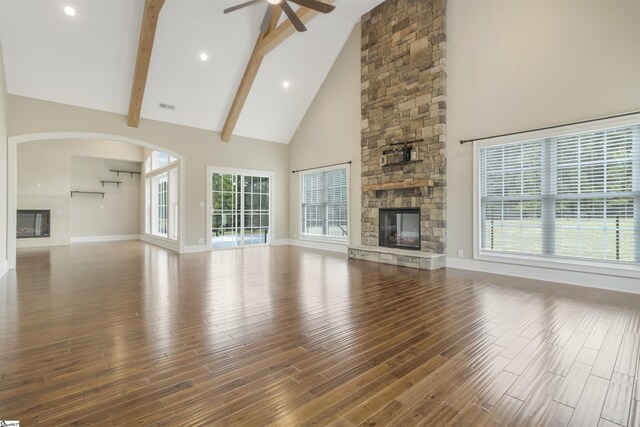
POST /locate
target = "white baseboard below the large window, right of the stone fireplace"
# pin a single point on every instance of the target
(592, 280)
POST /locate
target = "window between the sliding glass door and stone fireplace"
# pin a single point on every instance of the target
(324, 203)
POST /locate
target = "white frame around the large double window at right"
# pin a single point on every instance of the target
(608, 267)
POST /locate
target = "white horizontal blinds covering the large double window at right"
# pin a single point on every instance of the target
(572, 196)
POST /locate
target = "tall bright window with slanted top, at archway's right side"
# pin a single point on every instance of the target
(161, 196)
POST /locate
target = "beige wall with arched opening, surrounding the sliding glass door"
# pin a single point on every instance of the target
(199, 147)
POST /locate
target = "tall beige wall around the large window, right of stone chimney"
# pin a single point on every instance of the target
(517, 65)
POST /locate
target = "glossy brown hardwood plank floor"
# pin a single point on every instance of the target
(131, 334)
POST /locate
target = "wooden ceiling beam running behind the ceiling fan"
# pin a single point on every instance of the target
(266, 42)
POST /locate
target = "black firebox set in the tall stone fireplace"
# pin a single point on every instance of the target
(399, 228)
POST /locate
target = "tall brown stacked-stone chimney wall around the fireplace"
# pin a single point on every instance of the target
(404, 98)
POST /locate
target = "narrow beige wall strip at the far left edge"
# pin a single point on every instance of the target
(3, 167)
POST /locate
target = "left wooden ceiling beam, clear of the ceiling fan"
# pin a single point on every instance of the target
(152, 10)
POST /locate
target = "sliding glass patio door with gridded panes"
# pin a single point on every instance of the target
(240, 210)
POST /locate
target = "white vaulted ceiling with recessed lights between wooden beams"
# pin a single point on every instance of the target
(88, 60)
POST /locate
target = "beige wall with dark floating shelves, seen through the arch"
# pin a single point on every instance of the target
(48, 170)
